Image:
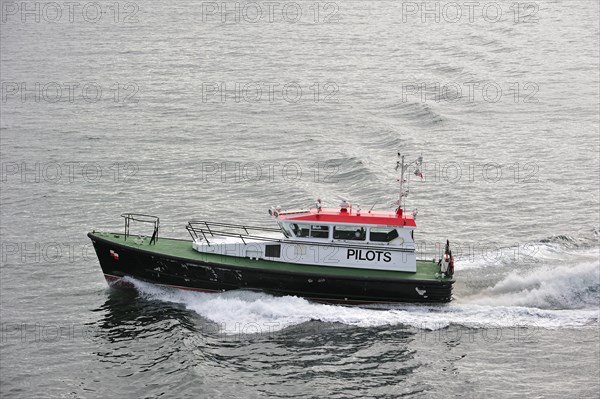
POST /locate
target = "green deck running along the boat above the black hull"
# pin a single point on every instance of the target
(182, 249)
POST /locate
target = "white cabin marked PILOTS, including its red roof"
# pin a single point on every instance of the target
(326, 237)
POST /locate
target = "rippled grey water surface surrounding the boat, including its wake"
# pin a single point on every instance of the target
(219, 110)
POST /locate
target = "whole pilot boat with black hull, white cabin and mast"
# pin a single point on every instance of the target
(335, 255)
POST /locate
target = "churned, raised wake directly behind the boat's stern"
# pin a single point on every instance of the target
(562, 274)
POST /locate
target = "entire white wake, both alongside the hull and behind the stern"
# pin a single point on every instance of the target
(560, 288)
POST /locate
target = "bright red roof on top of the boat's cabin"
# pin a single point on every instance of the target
(350, 216)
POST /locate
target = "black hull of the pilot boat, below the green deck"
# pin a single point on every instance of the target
(211, 277)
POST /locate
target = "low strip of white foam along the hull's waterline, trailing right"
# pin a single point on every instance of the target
(243, 311)
